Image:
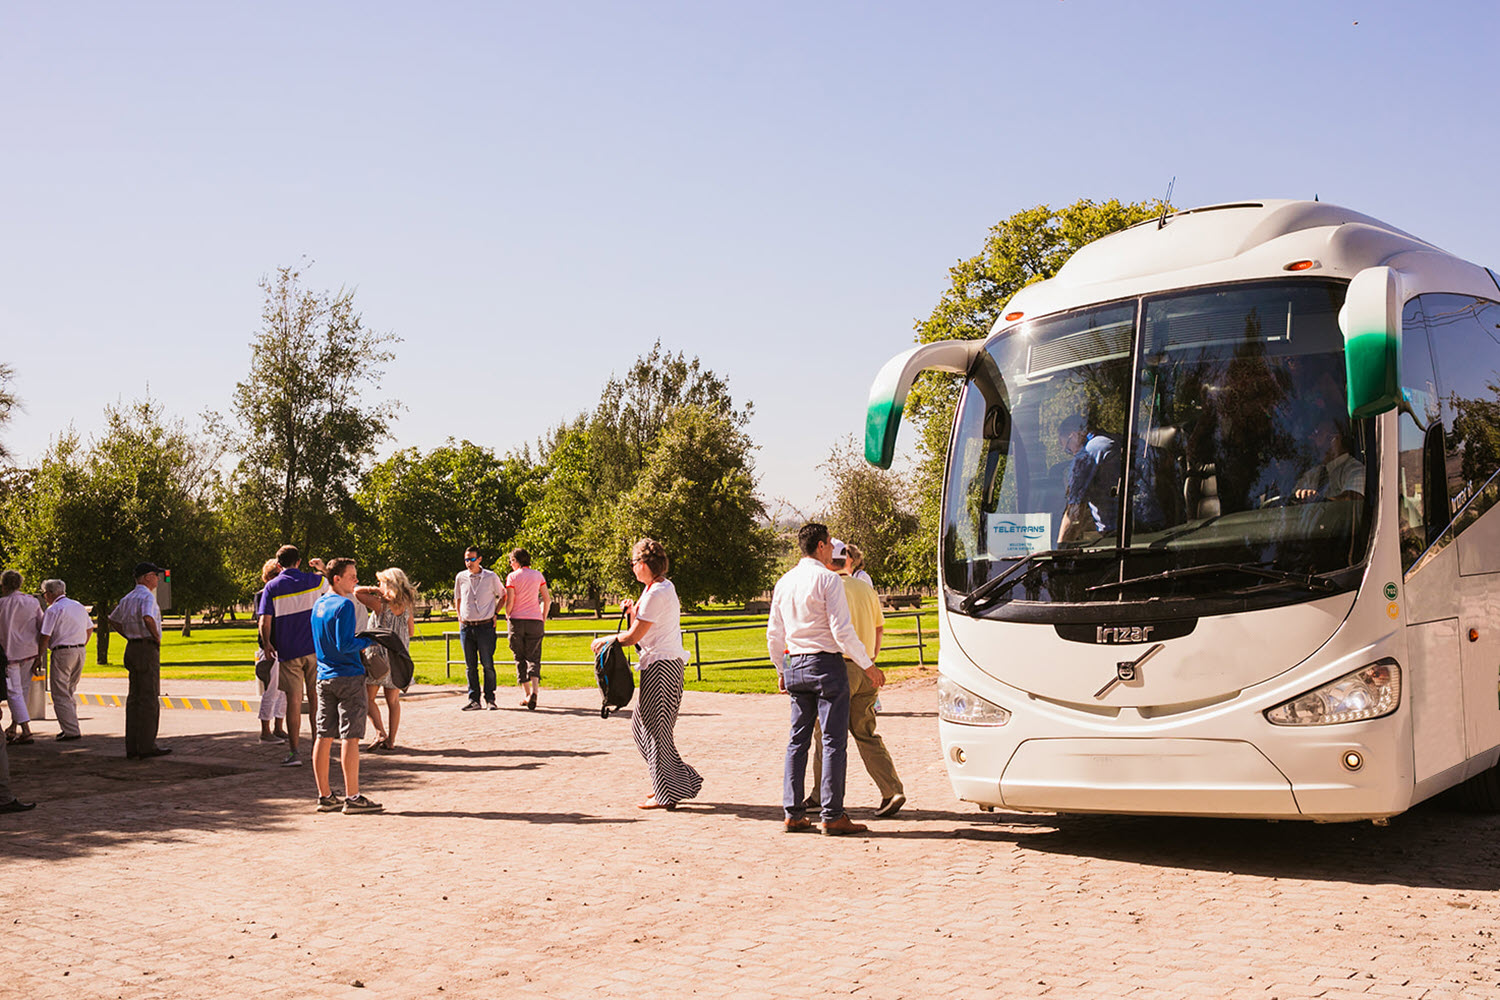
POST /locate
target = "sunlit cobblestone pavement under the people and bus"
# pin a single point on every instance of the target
(512, 863)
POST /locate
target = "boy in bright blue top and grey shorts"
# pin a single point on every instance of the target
(341, 692)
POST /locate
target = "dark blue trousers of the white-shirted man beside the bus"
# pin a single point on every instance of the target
(820, 689)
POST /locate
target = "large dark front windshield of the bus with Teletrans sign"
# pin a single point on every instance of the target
(1192, 446)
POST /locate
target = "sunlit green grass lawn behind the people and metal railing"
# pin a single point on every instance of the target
(227, 653)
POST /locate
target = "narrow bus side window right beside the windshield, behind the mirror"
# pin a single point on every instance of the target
(1420, 415)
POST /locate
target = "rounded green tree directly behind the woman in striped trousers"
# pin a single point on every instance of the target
(697, 496)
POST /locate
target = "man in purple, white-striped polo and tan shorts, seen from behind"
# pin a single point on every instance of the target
(286, 615)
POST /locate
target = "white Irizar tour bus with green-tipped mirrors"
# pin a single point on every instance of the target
(1220, 530)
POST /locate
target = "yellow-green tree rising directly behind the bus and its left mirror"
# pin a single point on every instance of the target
(1025, 248)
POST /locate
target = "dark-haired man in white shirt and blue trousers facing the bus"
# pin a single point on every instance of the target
(809, 635)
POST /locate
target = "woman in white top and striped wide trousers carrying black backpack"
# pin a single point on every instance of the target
(656, 627)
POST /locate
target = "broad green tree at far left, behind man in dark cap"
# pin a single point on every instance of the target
(142, 491)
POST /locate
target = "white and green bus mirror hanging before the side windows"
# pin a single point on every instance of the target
(1372, 325)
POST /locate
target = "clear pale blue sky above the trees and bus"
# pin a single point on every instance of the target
(530, 194)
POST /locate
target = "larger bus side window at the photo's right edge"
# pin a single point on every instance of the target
(1466, 353)
